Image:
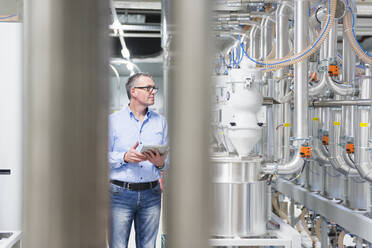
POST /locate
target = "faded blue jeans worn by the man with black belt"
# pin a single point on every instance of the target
(142, 207)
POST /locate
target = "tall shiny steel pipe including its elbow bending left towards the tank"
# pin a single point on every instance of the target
(300, 94)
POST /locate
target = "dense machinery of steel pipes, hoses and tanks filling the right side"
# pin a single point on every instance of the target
(291, 123)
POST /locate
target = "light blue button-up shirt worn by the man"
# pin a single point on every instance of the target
(124, 131)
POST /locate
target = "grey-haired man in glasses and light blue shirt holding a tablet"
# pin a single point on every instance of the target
(135, 189)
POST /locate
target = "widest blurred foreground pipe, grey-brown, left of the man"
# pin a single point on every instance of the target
(66, 103)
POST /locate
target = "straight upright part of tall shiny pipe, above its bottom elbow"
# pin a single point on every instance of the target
(301, 69)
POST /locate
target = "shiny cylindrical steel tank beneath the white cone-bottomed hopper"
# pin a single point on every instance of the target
(239, 198)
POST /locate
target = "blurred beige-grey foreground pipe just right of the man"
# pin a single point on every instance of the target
(189, 85)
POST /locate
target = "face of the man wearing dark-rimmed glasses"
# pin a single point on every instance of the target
(145, 96)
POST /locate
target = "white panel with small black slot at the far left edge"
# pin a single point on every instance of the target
(10, 124)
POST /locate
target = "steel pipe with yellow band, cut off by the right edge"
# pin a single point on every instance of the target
(362, 153)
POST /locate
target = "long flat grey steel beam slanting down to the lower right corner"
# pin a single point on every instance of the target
(353, 221)
